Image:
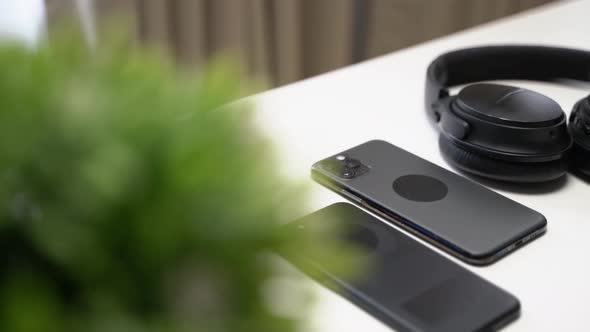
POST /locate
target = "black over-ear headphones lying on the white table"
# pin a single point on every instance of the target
(505, 132)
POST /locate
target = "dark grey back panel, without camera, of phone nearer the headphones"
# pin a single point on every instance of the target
(472, 218)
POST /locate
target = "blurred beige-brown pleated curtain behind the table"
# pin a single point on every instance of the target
(288, 40)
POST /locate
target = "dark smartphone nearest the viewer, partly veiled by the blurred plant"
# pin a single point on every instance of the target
(406, 285)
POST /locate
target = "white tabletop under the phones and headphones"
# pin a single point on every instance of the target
(383, 98)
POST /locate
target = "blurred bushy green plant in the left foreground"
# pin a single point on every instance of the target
(130, 201)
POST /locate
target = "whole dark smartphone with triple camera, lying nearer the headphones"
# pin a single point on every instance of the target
(449, 211)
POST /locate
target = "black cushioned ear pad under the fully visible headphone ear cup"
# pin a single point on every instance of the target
(496, 169)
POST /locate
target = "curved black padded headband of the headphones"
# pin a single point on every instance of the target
(538, 63)
